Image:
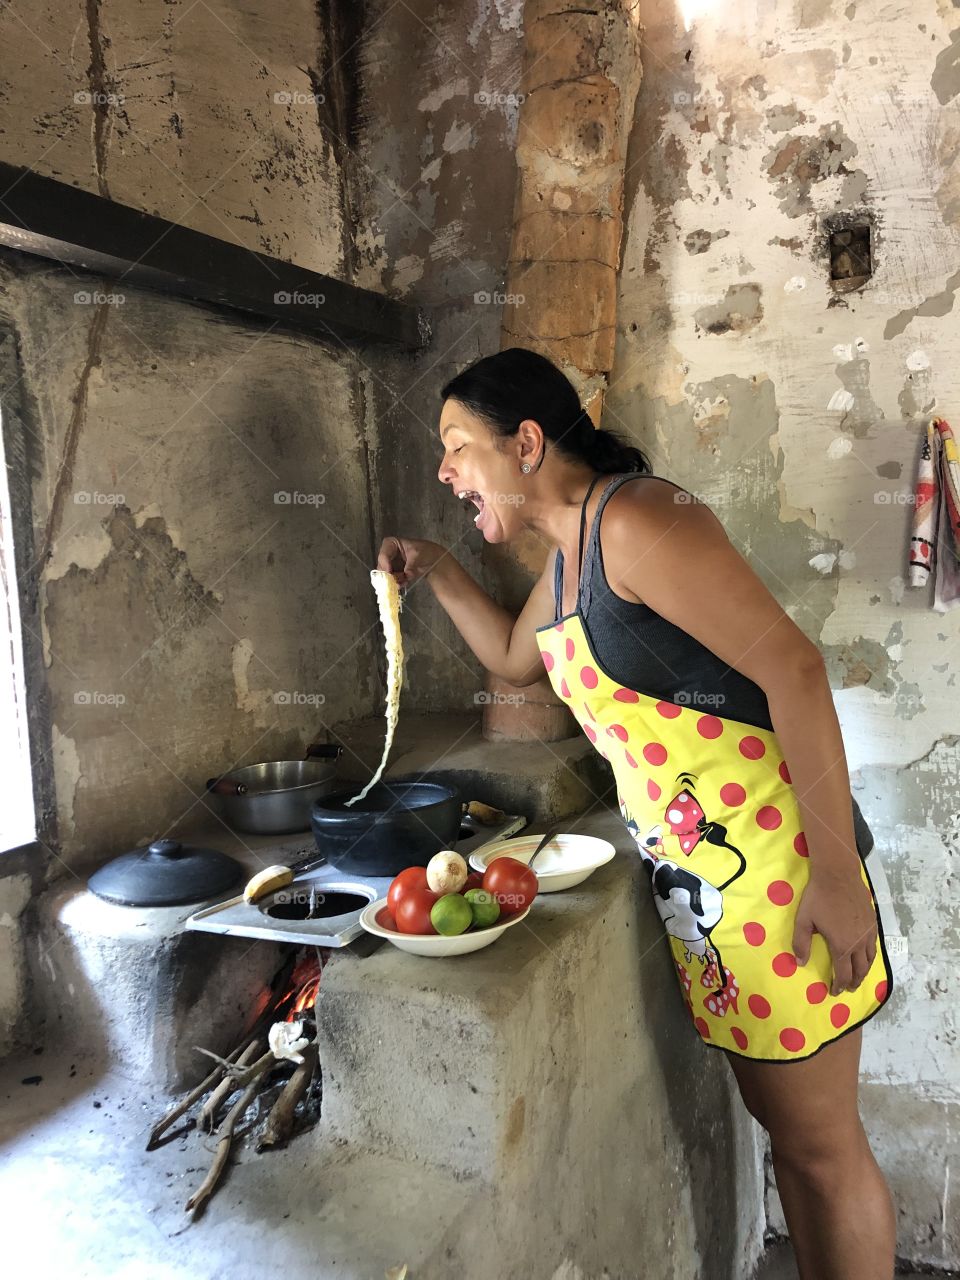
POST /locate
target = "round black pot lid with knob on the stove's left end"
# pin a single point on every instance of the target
(166, 874)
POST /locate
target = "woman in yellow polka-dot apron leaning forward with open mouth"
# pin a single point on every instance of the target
(717, 719)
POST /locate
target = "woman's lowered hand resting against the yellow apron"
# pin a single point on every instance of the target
(838, 904)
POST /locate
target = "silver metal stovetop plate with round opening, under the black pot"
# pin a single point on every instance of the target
(241, 920)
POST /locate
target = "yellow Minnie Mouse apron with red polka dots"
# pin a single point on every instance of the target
(716, 820)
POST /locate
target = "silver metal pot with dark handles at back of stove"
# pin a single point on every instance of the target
(276, 798)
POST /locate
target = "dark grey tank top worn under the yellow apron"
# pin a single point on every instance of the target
(643, 651)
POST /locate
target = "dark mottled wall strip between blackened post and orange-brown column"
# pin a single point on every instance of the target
(435, 202)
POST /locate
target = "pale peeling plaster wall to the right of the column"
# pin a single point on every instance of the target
(732, 351)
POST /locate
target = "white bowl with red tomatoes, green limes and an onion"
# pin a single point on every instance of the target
(446, 911)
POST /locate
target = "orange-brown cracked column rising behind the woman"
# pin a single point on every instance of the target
(580, 80)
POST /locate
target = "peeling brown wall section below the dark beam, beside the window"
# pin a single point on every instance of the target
(190, 619)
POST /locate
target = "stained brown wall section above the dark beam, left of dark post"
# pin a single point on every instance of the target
(205, 115)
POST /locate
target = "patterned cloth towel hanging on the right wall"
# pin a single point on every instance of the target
(935, 543)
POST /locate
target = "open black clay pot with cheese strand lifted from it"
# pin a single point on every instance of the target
(397, 825)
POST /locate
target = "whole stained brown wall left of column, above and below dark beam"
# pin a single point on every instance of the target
(181, 587)
